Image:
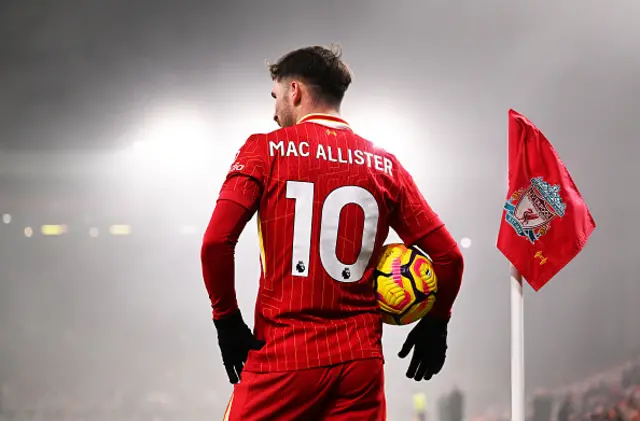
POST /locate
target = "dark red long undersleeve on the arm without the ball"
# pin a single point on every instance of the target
(217, 255)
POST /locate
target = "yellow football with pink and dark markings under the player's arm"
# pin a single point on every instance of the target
(405, 284)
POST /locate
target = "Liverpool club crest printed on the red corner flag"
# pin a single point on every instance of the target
(530, 210)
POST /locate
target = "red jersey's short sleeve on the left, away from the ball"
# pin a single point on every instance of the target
(244, 182)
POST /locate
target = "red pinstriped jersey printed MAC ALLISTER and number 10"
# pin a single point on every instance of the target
(328, 198)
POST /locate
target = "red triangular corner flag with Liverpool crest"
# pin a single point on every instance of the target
(546, 222)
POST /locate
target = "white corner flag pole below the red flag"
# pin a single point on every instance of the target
(517, 347)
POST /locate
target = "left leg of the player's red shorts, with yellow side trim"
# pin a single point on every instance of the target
(281, 396)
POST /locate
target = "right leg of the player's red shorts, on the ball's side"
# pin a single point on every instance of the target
(359, 393)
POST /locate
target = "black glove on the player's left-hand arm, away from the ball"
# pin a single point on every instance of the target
(235, 340)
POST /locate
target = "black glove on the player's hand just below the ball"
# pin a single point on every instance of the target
(429, 340)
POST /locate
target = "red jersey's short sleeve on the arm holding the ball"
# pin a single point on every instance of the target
(412, 218)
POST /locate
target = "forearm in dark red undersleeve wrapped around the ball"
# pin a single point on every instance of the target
(448, 265)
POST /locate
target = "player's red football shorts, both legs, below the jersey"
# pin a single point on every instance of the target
(351, 391)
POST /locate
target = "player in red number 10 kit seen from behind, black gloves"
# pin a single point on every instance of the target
(325, 200)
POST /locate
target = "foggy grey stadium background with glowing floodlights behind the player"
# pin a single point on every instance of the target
(129, 113)
